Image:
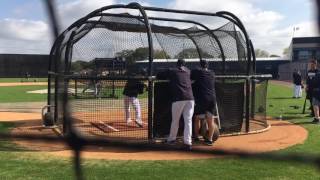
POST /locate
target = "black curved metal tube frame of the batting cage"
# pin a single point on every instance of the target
(59, 76)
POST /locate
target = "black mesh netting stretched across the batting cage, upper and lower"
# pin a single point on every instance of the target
(104, 52)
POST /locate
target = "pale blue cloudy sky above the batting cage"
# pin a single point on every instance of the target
(270, 23)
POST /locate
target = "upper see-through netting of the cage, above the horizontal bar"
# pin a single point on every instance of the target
(126, 37)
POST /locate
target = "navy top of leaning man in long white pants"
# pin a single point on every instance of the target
(180, 83)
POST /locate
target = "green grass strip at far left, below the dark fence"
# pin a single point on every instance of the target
(19, 94)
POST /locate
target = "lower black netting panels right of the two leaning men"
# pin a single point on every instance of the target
(231, 98)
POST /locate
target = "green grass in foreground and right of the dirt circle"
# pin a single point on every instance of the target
(23, 165)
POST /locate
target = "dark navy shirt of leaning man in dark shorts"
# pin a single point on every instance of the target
(203, 86)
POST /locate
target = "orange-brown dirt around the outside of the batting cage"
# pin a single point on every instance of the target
(281, 135)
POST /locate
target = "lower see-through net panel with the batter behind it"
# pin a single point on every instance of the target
(99, 107)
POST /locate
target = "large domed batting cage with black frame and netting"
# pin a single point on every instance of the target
(102, 71)
